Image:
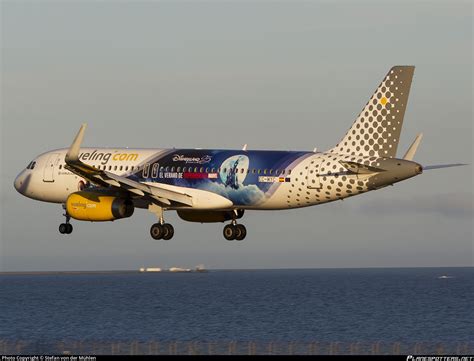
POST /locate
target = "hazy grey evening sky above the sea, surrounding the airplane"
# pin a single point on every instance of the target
(286, 75)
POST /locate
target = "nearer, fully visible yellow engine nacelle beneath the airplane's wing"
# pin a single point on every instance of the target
(96, 207)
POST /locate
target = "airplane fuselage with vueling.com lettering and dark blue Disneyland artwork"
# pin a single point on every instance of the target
(251, 179)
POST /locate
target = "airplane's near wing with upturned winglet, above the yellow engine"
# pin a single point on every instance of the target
(107, 179)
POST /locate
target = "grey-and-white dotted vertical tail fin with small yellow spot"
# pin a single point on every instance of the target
(376, 131)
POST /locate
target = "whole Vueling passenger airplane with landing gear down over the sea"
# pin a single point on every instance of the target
(213, 185)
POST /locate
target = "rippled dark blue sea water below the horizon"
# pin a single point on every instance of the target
(314, 304)
